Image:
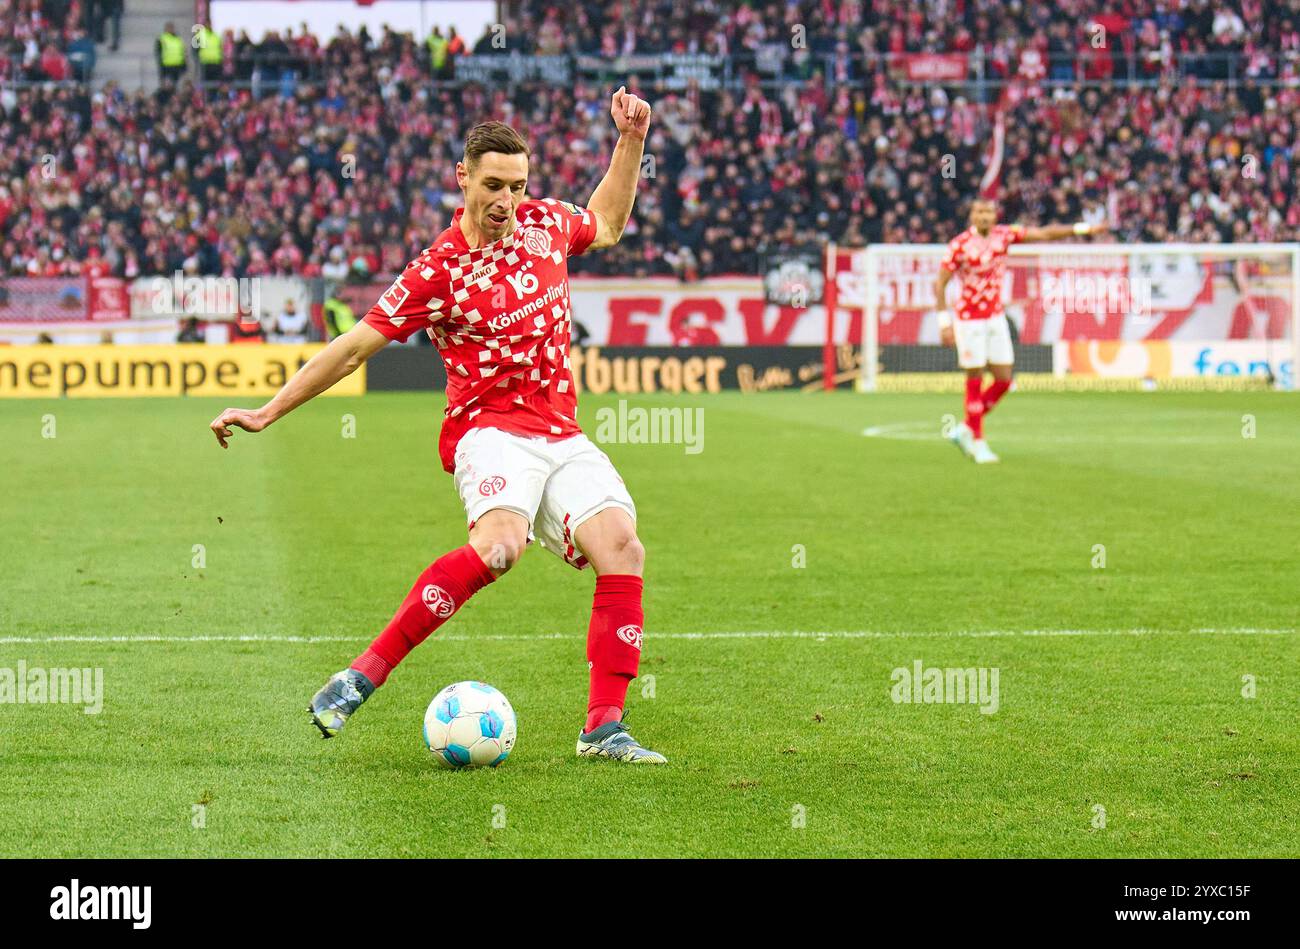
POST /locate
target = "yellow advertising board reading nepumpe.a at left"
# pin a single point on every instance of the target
(164, 370)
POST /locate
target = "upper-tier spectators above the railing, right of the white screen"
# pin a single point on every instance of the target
(1154, 32)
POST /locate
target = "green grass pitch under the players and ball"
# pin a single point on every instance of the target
(1128, 738)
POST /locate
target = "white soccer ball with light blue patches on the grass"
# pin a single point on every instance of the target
(470, 725)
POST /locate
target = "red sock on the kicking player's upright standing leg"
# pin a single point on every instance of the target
(613, 645)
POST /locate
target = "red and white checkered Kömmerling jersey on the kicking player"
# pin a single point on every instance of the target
(500, 317)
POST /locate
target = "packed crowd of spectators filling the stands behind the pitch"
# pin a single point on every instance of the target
(353, 176)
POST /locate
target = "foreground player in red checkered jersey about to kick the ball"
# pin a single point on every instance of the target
(492, 292)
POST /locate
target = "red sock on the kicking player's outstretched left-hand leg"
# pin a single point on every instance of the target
(443, 590)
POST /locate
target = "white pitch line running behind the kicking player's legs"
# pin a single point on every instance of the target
(748, 635)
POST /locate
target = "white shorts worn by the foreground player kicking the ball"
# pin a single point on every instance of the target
(557, 486)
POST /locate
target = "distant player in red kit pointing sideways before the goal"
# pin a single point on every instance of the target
(982, 336)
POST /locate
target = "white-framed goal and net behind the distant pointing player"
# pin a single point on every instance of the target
(1110, 317)
